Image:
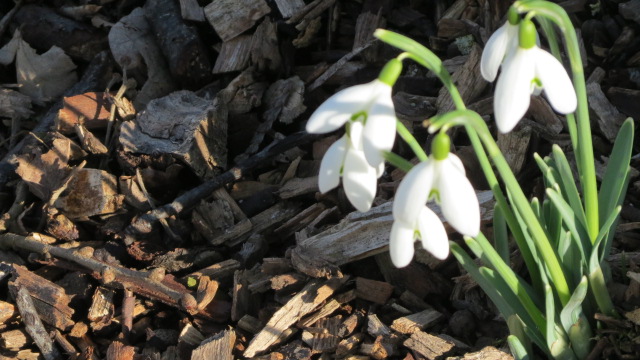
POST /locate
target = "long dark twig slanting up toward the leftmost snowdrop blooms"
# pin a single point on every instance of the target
(144, 223)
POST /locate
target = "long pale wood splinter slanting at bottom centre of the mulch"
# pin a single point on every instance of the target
(307, 300)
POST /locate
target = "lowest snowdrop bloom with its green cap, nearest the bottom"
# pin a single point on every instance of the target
(442, 176)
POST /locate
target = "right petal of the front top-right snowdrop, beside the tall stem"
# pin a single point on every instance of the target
(556, 83)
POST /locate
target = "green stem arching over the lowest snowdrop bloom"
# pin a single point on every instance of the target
(520, 201)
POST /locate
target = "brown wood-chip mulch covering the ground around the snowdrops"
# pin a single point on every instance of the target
(159, 195)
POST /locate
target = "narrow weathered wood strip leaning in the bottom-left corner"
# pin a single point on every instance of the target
(34, 325)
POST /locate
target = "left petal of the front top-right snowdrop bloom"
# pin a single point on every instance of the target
(513, 90)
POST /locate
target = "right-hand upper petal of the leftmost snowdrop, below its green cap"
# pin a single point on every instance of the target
(380, 130)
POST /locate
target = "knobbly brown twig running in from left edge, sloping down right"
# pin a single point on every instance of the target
(111, 275)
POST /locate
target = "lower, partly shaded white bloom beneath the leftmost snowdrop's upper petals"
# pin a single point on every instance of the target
(346, 159)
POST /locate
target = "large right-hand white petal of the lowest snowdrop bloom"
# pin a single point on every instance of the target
(458, 200)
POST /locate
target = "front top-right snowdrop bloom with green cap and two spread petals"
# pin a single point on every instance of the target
(525, 70)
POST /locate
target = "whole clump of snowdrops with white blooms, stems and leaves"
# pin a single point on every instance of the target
(563, 238)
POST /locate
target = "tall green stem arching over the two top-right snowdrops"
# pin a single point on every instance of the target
(584, 146)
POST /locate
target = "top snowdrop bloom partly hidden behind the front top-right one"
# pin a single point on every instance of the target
(503, 41)
